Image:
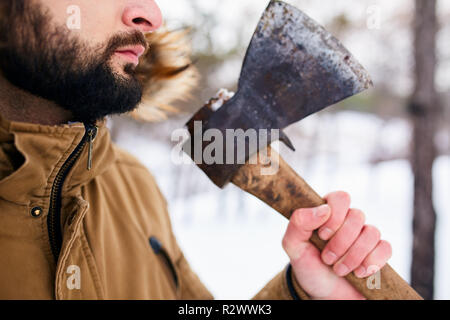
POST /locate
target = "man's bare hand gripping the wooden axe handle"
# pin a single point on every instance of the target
(352, 247)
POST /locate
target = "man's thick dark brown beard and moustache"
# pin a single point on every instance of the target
(56, 65)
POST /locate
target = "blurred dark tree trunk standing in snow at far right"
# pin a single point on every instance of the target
(424, 109)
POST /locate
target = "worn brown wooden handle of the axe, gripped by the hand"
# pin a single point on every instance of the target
(286, 191)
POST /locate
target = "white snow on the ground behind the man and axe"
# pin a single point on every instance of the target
(233, 241)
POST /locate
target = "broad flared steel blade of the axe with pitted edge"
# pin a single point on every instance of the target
(294, 68)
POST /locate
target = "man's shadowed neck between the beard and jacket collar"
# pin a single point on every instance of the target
(19, 105)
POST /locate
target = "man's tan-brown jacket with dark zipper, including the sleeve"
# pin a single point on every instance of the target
(70, 233)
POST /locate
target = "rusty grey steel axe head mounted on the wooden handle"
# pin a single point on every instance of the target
(293, 68)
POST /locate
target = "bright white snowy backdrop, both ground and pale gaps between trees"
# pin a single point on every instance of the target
(231, 239)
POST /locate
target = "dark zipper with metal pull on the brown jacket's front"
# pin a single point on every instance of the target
(54, 213)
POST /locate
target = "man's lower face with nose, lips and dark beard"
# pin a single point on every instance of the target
(88, 72)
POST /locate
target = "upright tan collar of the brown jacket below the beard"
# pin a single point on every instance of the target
(32, 155)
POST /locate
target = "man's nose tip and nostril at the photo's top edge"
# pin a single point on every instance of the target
(144, 16)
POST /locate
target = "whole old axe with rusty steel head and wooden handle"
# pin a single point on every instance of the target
(293, 68)
